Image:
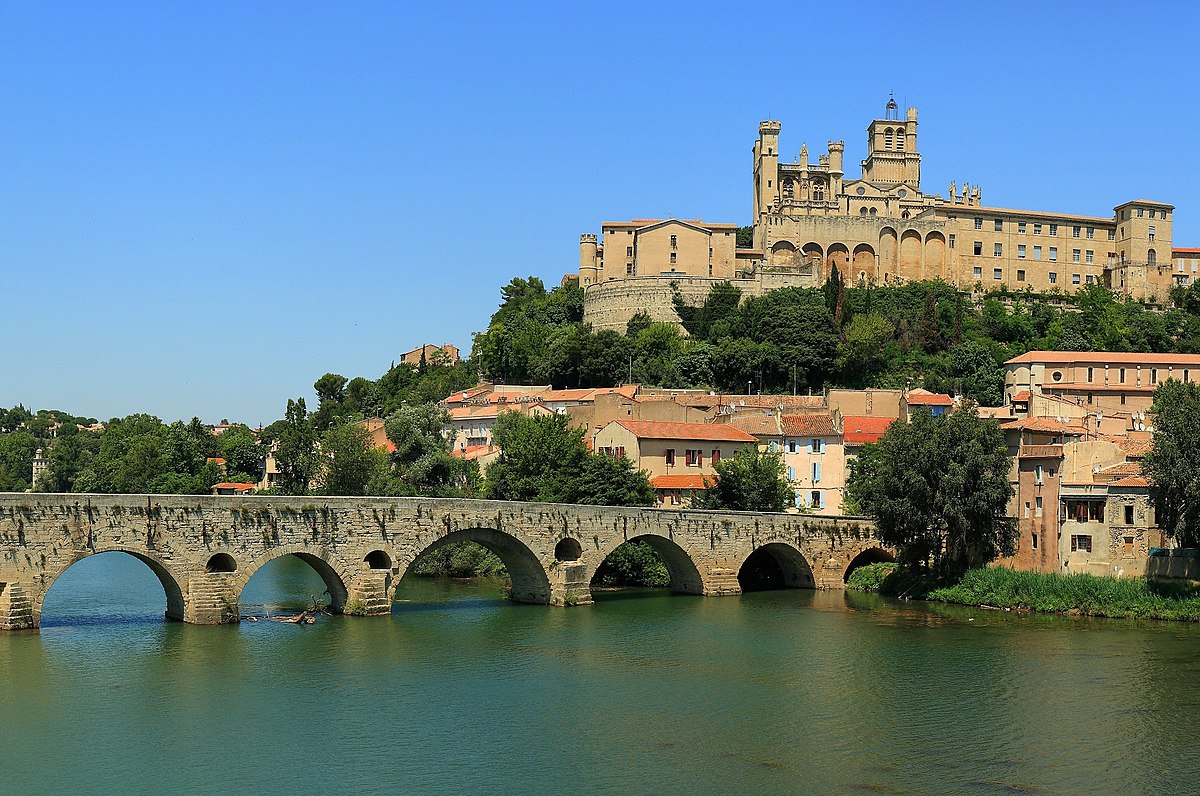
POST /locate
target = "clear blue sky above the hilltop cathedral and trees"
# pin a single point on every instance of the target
(206, 207)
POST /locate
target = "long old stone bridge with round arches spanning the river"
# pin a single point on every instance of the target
(206, 549)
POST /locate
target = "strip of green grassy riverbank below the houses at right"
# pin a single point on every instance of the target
(1135, 599)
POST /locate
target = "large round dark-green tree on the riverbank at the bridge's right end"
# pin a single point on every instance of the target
(939, 490)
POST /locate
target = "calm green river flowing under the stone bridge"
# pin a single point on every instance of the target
(460, 692)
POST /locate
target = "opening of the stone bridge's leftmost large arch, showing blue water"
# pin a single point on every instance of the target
(115, 588)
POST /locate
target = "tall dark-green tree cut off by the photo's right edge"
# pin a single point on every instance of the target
(1173, 464)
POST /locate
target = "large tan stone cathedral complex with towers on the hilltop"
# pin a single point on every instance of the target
(881, 226)
